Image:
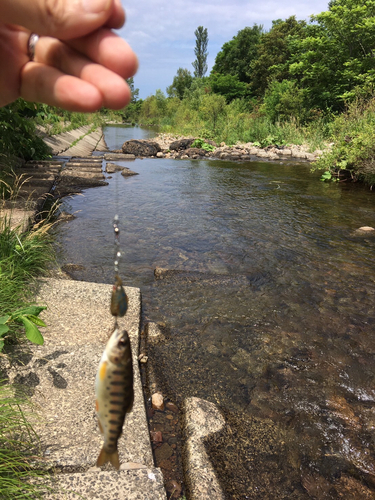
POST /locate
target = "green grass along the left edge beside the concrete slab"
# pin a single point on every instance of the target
(24, 255)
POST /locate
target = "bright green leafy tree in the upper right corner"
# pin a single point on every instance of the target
(336, 55)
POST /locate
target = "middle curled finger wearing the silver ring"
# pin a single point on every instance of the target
(115, 91)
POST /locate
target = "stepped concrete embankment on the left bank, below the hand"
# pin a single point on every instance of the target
(73, 167)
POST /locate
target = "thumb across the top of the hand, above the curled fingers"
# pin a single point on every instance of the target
(64, 19)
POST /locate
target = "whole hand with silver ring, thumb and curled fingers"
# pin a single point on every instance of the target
(79, 63)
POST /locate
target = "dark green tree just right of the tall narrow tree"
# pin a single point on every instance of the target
(237, 55)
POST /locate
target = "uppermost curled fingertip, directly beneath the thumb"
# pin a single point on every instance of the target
(106, 48)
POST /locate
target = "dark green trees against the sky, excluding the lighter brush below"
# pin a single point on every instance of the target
(296, 69)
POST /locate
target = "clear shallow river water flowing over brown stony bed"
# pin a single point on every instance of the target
(273, 317)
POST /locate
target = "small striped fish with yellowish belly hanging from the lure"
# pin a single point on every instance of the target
(114, 394)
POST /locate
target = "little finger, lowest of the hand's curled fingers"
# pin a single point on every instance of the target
(41, 83)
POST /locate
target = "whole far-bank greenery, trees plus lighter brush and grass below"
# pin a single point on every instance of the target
(300, 81)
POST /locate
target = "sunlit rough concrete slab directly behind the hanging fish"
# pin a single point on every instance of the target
(79, 324)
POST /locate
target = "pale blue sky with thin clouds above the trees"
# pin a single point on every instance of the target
(161, 32)
